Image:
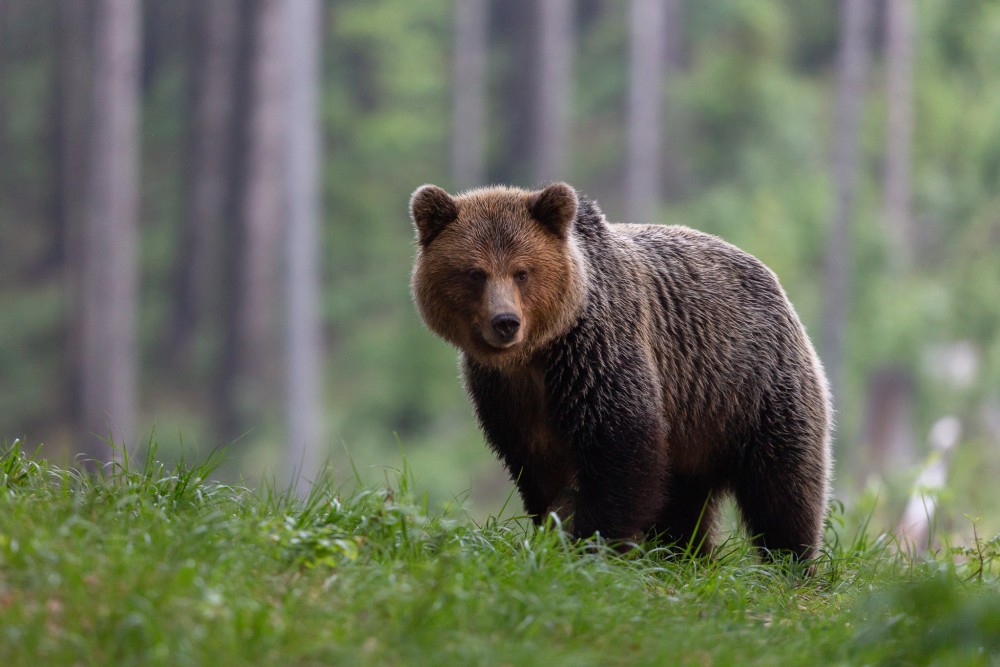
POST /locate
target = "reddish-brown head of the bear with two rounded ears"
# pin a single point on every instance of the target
(498, 272)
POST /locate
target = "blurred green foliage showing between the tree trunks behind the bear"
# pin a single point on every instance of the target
(749, 141)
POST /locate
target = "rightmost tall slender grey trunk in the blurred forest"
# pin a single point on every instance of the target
(899, 131)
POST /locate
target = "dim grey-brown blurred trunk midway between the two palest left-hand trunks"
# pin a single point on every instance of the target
(214, 30)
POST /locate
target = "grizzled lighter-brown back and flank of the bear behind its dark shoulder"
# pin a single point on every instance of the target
(722, 331)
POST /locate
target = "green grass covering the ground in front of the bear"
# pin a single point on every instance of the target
(145, 565)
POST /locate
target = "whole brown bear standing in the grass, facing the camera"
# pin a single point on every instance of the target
(629, 376)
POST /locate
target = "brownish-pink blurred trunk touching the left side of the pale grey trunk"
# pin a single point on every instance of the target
(256, 209)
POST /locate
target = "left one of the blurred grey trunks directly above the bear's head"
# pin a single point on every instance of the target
(469, 122)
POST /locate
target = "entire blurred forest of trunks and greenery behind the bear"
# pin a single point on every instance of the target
(204, 233)
